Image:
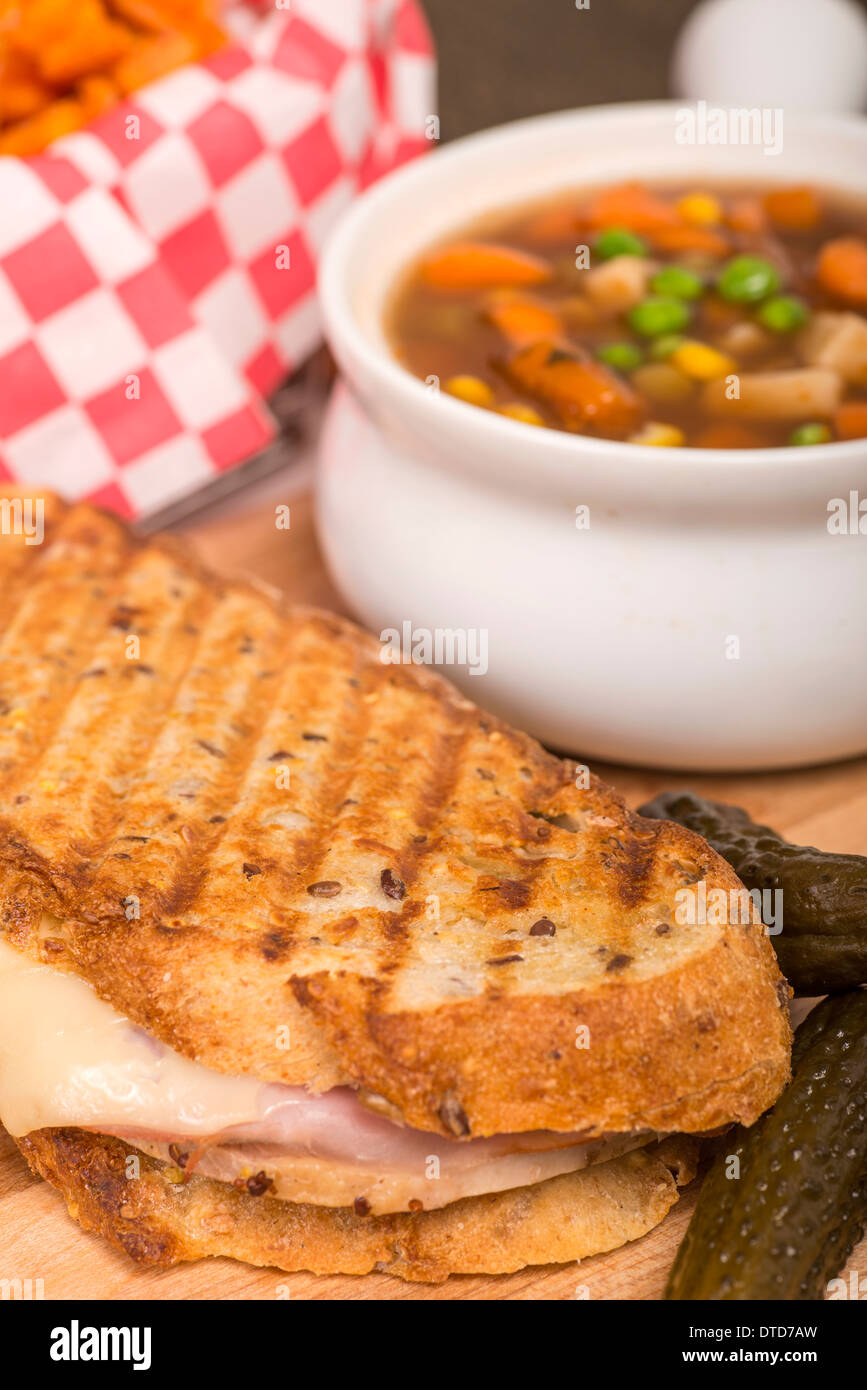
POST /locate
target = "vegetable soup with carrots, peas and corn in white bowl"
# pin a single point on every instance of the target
(719, 318)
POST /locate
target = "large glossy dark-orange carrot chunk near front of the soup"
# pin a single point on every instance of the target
(583, 394)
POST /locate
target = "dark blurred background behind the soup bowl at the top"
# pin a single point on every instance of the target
(505, 59)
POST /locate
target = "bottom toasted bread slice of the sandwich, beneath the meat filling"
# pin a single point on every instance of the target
(162, 1224)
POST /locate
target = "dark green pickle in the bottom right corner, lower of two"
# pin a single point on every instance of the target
(790, 1221)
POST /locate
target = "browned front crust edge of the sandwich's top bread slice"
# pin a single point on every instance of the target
(690, 1050)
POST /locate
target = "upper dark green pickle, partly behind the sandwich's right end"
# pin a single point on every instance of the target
(823, 945)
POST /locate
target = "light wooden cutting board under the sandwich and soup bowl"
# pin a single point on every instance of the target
(826, 807)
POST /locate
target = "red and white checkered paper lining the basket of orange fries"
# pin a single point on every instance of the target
(144, 315)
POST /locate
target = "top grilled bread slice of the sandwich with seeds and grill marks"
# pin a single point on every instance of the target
(286, 858)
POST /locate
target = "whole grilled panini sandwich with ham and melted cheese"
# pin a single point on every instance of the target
(308, 961)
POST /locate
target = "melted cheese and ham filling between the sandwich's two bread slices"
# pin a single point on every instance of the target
(67, 1058)
